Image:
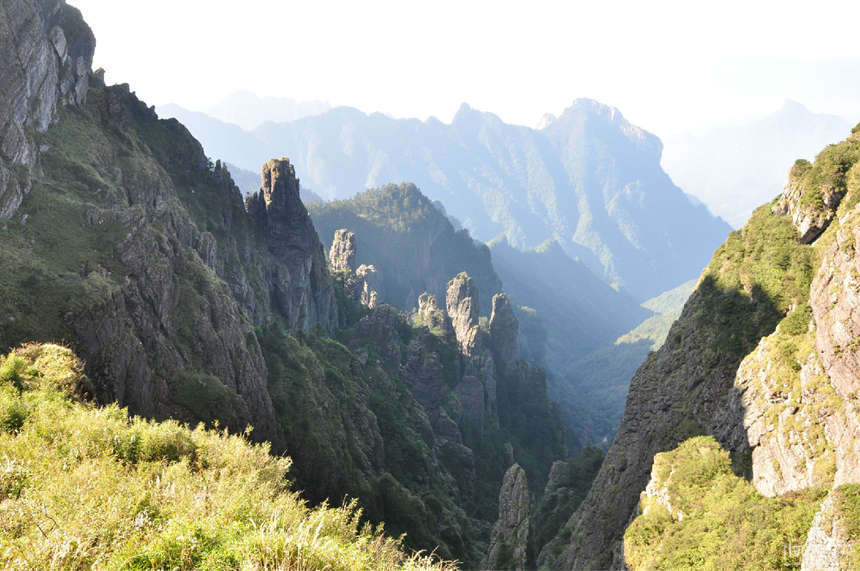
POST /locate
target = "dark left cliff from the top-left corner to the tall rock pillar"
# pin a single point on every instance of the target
(135, 248)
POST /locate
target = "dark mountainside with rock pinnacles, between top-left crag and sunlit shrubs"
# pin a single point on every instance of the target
(187, 302)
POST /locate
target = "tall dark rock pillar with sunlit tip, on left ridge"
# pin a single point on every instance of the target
(300, 285)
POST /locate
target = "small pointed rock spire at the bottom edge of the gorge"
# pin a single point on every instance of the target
(510, 542)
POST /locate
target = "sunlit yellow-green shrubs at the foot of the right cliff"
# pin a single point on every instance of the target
(726, 523)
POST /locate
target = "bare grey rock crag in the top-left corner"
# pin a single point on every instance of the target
(46, 51)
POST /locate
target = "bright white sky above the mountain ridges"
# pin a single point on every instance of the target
(668, 66)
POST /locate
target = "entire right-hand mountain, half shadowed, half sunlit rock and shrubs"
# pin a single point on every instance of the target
(740, 434)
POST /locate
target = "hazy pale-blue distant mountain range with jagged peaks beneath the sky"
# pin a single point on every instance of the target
(588, 179)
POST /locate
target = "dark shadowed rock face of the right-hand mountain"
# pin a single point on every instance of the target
(658, 416)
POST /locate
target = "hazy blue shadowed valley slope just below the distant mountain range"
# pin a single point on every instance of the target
(580, 315)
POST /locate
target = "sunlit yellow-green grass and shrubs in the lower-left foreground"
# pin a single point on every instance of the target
(83, 487)
